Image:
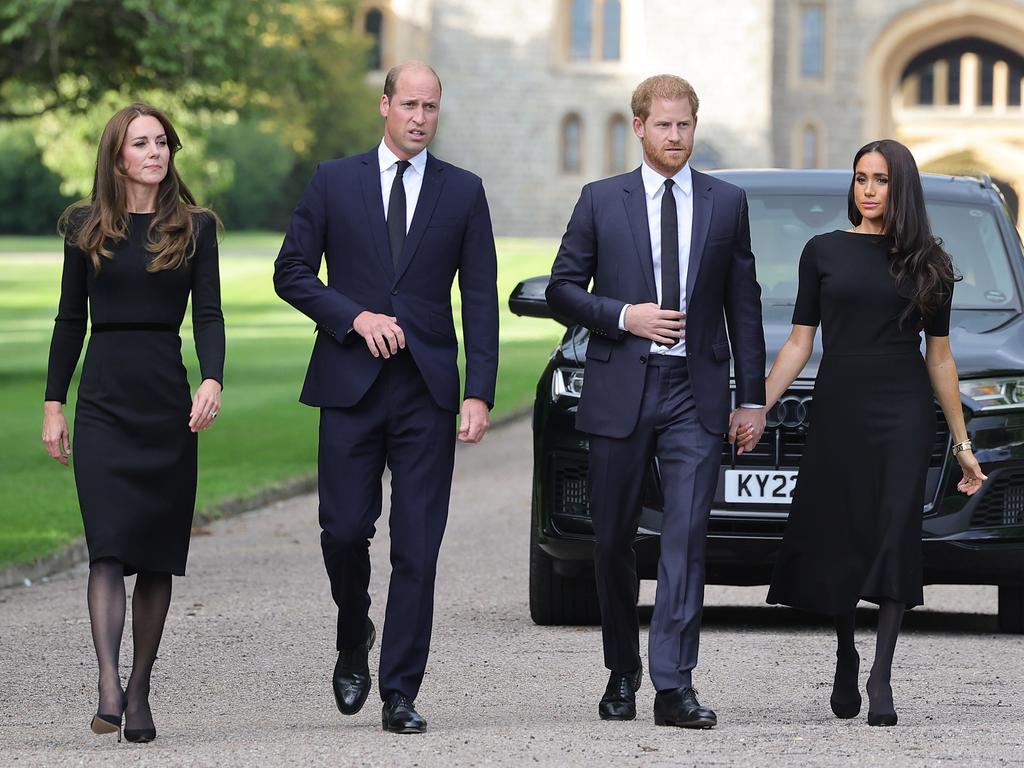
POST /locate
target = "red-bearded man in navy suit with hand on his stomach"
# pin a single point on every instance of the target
(674, 290)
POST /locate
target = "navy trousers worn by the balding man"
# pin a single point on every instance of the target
(397, 424)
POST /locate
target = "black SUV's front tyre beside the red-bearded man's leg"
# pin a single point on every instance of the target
(556, 600)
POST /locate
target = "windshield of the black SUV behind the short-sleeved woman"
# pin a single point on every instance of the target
(781, 225)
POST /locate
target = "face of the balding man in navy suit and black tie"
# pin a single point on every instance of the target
(411, 114)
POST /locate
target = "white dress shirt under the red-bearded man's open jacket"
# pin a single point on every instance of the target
(682, 191)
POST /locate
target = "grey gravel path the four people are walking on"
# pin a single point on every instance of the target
(243, 676)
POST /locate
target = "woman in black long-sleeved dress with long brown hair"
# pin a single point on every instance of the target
(134, 254)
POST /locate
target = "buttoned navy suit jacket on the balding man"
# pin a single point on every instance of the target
(342, 219)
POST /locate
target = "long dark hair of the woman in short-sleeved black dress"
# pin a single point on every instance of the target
(923, 270)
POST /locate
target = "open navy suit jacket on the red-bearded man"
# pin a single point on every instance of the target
(609, 241)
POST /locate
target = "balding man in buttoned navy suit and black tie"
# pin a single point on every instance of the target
(396, 226)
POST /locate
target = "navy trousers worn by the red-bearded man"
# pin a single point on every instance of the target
(689, 460)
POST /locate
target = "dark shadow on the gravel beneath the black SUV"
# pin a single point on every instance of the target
(733, 617)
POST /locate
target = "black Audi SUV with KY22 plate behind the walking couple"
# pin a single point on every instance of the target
(966, 541)
